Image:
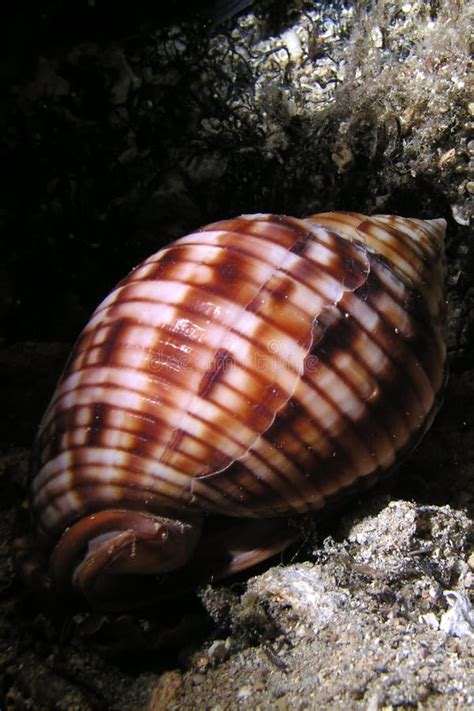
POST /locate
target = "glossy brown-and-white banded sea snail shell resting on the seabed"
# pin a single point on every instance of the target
(260, 366)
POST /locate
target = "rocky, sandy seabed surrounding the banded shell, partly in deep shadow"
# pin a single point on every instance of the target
(126, 126)
